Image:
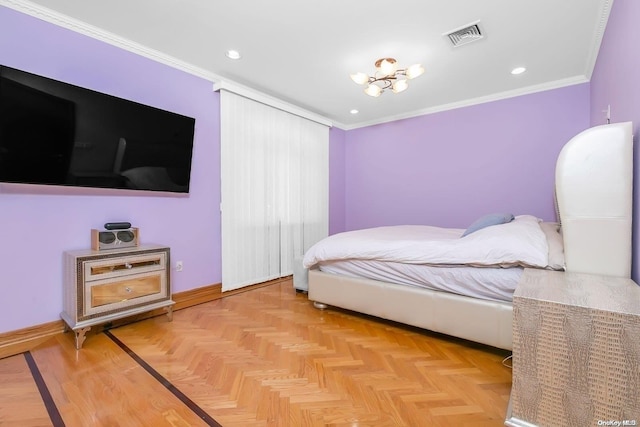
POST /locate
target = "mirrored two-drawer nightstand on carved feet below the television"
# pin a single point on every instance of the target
(101, 286)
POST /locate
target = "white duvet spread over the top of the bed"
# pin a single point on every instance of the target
(520, 242)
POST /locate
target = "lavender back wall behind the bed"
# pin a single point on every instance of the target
(448, 168)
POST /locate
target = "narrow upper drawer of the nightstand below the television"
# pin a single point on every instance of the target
(113, 268)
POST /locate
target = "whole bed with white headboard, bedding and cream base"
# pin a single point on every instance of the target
(594, 174)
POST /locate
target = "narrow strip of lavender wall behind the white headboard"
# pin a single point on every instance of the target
(616, 82)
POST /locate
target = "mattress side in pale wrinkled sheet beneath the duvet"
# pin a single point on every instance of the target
(493, 284)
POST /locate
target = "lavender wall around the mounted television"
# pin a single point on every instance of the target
(37, 228)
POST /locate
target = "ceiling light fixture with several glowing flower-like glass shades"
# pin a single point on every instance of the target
(387, 76)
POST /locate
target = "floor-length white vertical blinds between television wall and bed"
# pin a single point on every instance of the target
(275, 189)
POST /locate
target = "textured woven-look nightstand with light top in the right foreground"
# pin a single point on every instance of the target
(576, 351)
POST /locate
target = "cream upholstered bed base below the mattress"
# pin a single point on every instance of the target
(485, 322)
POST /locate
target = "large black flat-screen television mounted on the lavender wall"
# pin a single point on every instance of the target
(54, 133)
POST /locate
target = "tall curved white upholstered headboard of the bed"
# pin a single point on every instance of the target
(594, 183)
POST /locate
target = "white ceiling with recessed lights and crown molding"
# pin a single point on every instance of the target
(302, 52)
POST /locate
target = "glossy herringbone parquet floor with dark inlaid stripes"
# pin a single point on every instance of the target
(264, 357)
